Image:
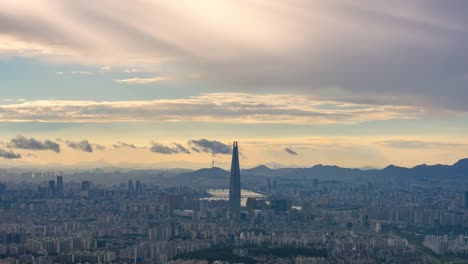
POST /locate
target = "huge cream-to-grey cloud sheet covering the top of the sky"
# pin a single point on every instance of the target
(396, 52)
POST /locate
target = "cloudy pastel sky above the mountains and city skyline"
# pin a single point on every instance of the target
(174, 83)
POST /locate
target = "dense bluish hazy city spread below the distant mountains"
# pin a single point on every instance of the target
(87, 217)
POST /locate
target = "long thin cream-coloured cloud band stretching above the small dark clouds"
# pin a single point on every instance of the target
(213, 107)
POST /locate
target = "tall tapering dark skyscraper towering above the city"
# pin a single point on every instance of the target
(234, 187)
